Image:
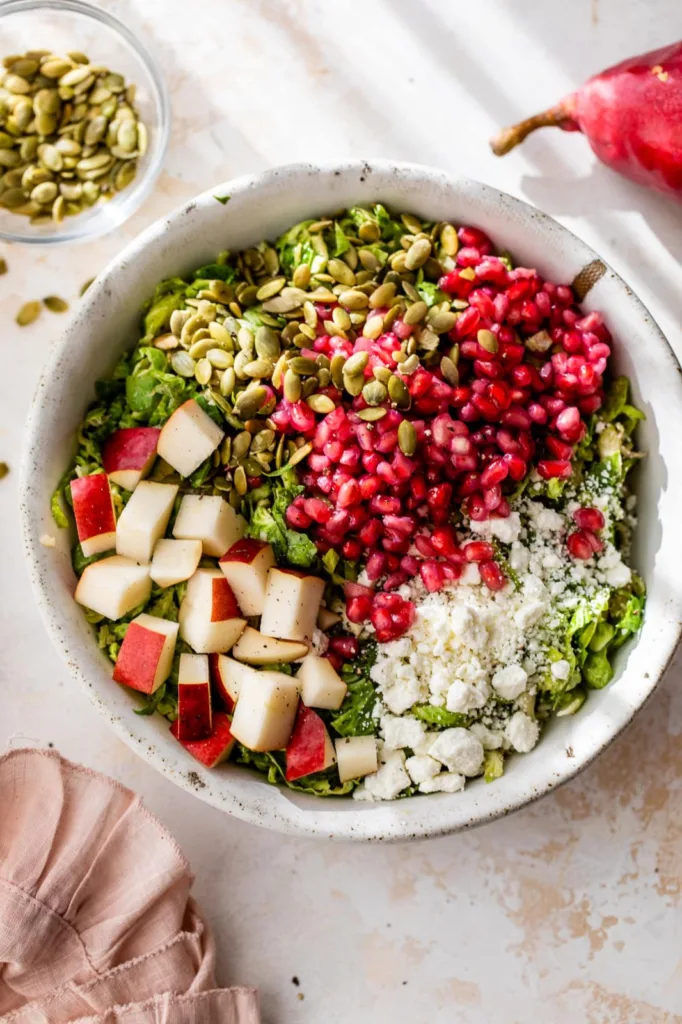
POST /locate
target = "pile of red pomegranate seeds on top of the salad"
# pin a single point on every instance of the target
(521, 372)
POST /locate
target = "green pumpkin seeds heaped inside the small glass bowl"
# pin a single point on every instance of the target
(70, 135)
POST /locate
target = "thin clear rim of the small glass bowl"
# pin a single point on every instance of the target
(115, 214)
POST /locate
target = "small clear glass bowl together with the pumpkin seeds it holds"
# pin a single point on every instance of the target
(72, 168)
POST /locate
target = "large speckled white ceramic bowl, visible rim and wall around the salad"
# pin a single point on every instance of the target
(107, 323)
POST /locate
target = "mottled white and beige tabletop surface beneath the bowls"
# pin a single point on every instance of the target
(570, 911)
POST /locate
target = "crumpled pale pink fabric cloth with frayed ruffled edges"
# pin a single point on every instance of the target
(97, 922)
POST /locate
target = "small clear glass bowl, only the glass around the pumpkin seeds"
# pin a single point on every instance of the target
(63, 26)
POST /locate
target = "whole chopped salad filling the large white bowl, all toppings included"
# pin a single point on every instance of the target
(355, 510)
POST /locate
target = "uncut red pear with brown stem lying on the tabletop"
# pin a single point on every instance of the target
(631, 115)
